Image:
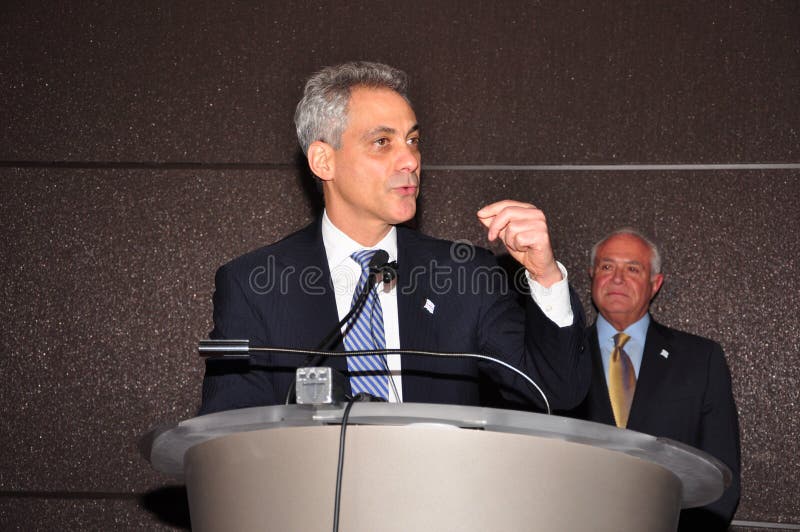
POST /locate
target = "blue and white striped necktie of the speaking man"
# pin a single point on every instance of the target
(364, 332)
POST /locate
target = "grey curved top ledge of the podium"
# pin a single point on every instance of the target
(703, 476)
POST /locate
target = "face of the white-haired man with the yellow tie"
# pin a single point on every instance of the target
(622, 283)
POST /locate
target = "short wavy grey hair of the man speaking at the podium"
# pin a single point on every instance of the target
(322, 112)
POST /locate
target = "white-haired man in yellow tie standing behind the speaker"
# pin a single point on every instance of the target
(682, 387)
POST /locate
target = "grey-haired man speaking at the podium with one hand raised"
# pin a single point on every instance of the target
(362, 140)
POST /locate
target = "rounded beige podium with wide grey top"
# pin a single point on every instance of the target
(428, 467)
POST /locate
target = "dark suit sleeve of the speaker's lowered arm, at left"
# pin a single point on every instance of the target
(235, 384)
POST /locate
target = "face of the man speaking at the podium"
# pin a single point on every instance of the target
(375, 181)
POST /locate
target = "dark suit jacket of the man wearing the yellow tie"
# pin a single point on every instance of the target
(685, 396)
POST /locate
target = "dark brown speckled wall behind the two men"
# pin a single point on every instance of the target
(142, 145)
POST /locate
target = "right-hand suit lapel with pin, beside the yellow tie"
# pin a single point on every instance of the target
(651, 374)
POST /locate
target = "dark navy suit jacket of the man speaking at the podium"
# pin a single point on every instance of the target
(281, 296)
